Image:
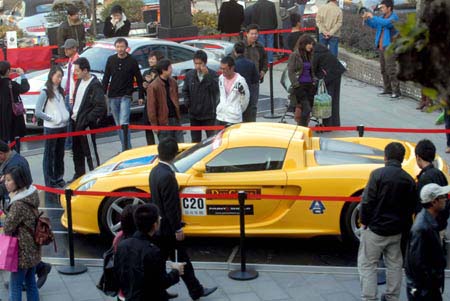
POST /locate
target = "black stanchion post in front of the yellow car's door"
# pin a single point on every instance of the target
(243, 273)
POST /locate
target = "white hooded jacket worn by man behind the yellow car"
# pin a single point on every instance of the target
(231, 107)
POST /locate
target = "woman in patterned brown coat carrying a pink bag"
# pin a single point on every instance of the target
(21, 222)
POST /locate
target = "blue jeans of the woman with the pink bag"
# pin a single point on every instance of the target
(17, 279)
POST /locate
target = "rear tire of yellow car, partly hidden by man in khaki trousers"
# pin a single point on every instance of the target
(350, 223)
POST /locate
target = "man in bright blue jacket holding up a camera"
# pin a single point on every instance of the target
(385, 33)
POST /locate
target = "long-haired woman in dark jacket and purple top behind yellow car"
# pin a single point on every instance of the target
(301, 77)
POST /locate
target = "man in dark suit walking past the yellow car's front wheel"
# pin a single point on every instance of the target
(165, 194)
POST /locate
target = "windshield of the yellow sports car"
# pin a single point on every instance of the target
(189, 157)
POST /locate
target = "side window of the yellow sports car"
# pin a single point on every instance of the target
(245, 159)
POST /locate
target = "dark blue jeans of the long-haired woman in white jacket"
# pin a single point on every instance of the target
(53, 162)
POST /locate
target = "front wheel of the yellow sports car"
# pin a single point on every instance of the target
(109, 215)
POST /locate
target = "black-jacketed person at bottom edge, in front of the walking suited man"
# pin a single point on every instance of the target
(139, 264)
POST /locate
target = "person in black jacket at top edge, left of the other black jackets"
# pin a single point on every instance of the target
(231, 17)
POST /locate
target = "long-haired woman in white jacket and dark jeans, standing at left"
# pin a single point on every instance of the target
(51, 108)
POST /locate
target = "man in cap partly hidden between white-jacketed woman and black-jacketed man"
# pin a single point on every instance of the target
(71, 51)
